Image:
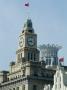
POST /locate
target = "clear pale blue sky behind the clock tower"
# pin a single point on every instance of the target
(49, 19)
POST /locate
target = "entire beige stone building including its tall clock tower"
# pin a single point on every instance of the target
(28, 72)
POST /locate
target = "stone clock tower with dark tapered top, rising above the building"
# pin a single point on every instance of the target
(27, 50)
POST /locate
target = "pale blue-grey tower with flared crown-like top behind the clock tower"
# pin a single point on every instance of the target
(49, 53)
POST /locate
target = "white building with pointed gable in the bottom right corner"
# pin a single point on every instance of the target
(60, 79)
